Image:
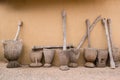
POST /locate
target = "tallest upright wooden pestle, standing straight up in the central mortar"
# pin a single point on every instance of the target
(64, 29)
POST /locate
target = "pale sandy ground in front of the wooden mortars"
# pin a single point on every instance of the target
(53, 73)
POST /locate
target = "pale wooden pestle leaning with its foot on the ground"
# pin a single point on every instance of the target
(112, 63)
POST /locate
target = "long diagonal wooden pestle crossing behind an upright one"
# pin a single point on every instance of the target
(91, 28)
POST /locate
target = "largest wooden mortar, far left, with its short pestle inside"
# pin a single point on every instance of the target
(13, 49)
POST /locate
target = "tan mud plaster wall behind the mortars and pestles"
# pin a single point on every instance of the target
(43, 23)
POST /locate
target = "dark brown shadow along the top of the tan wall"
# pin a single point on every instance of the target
(25, 4)
